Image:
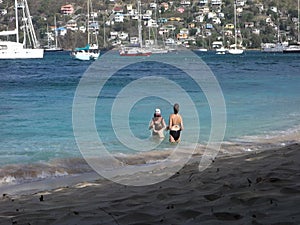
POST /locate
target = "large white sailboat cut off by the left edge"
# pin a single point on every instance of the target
(29, 49)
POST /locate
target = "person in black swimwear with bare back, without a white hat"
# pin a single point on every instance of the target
(175, 125)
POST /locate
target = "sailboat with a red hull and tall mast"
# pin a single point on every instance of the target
(140, 50)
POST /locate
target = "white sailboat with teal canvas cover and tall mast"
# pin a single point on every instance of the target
(91, 51)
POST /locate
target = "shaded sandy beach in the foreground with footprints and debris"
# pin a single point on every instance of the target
(261, 187)
